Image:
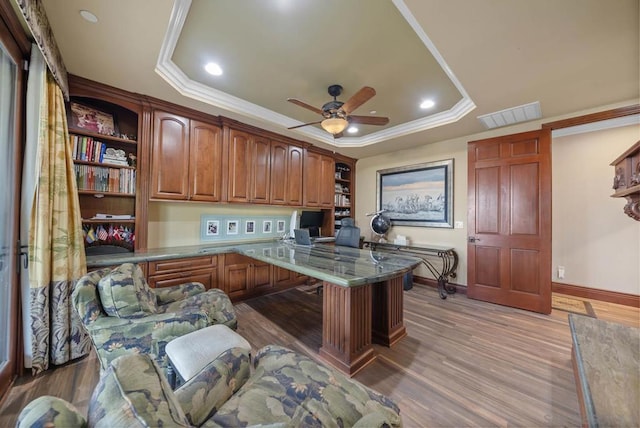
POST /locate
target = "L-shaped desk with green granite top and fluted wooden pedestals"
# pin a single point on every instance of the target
(362, 290)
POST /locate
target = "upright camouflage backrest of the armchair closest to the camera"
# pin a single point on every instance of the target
(133, 392)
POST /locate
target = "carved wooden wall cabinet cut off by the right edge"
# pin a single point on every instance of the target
(626, 182)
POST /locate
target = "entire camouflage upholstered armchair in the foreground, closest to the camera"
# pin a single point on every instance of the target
(286, 390)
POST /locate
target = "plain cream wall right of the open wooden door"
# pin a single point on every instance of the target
(598, 245)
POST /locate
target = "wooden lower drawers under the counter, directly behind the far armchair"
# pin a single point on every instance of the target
(167, 273)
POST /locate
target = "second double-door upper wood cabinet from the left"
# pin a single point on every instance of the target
(249, 168)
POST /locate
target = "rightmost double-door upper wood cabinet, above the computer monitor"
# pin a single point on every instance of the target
(318, 180)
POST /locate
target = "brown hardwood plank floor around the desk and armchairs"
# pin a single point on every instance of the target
(464, 362)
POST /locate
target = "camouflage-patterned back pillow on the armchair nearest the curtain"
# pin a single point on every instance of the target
(124, 292)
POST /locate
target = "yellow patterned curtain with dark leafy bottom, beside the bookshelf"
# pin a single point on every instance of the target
(56, 247)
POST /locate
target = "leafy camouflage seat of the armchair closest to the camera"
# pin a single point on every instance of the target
(292, 389)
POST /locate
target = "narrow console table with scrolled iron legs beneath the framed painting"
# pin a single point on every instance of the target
(447, 256)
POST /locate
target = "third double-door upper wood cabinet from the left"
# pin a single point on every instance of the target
(286, 174)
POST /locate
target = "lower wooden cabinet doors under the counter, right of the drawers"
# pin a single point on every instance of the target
(243, 276)
